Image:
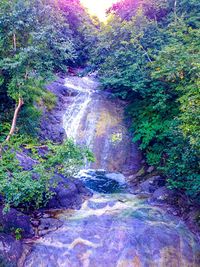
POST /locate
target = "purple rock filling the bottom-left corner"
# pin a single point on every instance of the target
(10, 250)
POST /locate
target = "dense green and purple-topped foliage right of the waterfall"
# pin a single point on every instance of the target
(148, 54)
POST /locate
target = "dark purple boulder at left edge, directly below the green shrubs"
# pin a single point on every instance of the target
(15, 219)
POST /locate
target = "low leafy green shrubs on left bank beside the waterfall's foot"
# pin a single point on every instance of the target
(30, 186)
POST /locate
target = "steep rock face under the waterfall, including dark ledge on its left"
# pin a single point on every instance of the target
(92, 119)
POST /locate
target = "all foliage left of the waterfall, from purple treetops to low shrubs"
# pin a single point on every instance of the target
(38, 38)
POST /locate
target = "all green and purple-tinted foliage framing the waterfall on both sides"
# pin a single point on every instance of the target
(147, 53)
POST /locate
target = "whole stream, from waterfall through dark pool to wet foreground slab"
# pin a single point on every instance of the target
(113, 228)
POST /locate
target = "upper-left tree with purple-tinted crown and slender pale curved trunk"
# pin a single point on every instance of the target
(35, 41)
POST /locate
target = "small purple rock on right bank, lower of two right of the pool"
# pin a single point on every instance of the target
(162, 194)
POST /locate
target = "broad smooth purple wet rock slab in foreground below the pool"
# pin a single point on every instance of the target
(130, 232)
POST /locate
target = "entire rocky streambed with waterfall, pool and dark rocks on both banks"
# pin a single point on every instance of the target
(117, 212)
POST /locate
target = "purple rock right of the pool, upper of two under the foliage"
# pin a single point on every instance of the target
(151, 184)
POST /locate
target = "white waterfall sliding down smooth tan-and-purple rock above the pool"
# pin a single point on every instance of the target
(93, 120)
